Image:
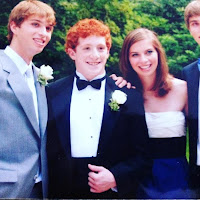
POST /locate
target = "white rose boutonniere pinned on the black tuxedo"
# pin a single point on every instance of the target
(118, 98)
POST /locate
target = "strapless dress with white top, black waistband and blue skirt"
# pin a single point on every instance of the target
(169, 177)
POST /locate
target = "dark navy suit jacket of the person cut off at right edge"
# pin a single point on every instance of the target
(191, 75)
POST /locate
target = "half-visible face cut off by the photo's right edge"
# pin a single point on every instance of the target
(194, 27)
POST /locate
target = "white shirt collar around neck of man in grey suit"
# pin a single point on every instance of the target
(17, 59)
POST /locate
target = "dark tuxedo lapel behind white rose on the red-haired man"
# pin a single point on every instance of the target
(109, 117)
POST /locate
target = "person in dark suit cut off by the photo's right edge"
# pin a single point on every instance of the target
(191, 75)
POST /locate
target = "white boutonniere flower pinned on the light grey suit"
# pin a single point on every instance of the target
(45, 74)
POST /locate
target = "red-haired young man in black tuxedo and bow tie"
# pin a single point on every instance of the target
(94, 149)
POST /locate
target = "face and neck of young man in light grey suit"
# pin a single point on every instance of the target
(31, 36)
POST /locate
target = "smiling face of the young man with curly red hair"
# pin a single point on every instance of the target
(90, 56)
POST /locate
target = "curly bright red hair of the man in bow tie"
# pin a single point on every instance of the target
(84, 28)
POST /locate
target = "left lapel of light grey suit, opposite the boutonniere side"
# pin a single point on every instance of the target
(21, 91)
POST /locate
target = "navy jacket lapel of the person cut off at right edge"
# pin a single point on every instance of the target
(193, 86)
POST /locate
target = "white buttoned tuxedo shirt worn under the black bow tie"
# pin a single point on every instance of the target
(86, 114)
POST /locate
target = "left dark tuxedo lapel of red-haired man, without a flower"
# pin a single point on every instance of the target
(61, 109)
